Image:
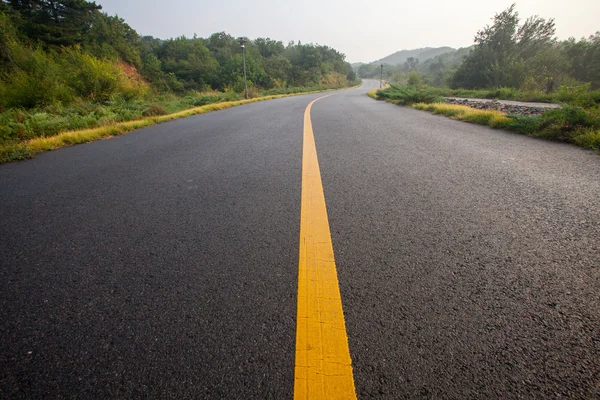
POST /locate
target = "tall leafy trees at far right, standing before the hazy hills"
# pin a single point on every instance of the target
(528, 57)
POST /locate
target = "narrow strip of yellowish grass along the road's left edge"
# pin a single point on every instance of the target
(10, 152)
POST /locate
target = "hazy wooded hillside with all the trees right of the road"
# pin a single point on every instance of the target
(511, 53)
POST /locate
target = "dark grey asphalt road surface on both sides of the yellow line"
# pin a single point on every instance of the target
(163, 263)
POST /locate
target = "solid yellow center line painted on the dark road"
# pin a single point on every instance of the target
(323, 366)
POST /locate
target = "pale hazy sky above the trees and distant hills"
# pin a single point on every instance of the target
(363, 30)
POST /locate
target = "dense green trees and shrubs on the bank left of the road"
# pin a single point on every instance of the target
(75, 51)
